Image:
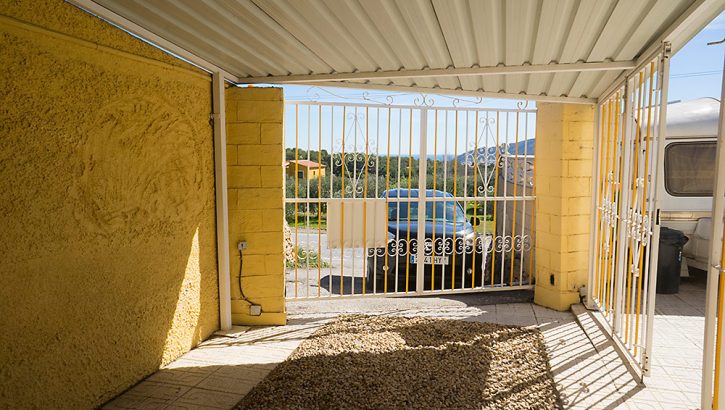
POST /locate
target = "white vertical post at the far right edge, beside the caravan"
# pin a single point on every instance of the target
(714, 272)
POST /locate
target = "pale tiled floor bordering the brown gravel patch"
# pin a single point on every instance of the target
(587, 370)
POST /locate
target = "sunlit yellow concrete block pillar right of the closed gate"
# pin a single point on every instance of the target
(564, 154)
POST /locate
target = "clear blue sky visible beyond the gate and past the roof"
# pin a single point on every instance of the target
(695, 72)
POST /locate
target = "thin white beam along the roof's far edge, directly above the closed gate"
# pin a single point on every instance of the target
(455, 93)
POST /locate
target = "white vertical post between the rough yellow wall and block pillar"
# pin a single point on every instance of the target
(222, 207)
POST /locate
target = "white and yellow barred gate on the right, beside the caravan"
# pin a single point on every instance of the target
(625, 234)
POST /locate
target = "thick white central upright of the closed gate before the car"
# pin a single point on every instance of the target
(422, 178)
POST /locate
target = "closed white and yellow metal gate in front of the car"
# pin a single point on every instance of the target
(457, 179)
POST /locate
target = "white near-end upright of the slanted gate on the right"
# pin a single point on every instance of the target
(659, 175)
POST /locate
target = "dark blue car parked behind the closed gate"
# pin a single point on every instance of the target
(454, 254)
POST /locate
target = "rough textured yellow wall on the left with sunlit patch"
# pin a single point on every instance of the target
(107, 208)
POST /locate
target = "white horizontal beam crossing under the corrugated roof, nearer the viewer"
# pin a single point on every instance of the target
(442, 72)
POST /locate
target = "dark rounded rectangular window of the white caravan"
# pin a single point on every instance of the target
(690, 168)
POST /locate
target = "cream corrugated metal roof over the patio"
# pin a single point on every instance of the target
(256, 38)
